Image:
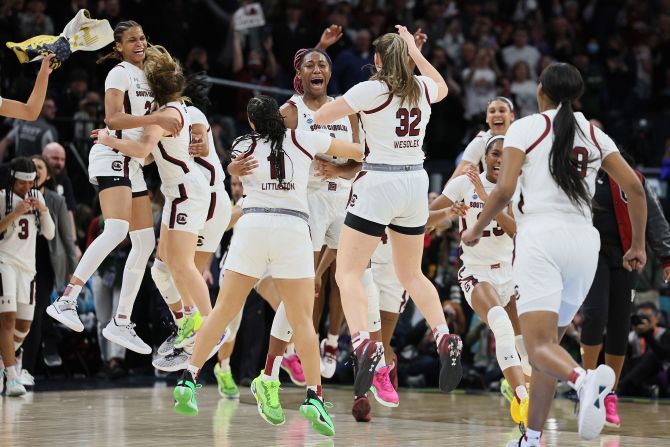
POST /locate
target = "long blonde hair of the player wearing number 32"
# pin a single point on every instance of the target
(395, 71)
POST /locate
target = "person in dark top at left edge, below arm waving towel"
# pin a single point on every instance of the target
(28, 138)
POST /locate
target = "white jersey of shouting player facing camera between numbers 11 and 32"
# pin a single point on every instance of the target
(340, 129)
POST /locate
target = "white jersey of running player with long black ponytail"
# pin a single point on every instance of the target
(540, 195)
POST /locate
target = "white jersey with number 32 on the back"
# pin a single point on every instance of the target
(394, 132)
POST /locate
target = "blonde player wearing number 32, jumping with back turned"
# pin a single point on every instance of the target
(391, 191)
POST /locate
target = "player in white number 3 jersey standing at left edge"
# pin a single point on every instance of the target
(24, 214)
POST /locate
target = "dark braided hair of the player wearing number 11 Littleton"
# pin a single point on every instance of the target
(263, 112)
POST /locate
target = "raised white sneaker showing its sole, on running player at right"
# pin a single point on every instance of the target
(597, 385)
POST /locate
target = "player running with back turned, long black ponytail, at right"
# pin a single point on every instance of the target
(557, 247)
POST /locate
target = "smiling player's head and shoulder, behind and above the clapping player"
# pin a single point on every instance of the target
(499, 116)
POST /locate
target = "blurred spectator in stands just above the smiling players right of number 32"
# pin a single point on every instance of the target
(479, 82)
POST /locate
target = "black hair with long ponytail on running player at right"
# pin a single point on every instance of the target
(563, 84)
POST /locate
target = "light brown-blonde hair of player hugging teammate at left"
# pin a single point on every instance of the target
(164, 74)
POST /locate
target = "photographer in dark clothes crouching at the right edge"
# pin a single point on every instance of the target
(649, 347)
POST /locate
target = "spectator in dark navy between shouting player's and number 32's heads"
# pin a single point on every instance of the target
(350, 65)
